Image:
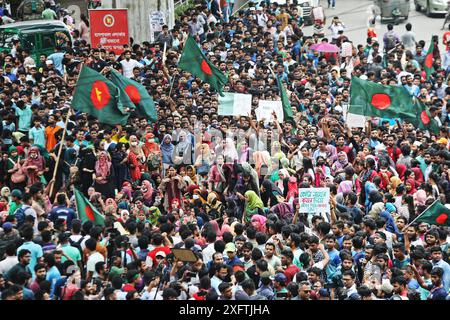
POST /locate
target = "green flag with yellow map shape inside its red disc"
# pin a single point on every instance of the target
(99, 97)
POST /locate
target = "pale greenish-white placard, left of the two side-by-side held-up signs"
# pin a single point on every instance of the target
(235, 104)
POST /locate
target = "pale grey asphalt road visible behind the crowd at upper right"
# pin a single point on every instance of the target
(355, 14)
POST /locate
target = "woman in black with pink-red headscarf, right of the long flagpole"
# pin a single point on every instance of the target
(104, 176)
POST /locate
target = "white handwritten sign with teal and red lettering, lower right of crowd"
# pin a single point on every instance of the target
(314, 200)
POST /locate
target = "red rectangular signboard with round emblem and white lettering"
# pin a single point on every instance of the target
(109, 29)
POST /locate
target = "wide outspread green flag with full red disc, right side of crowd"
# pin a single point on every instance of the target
(372, 99)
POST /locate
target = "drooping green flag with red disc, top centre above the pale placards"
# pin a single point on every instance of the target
(194, 61)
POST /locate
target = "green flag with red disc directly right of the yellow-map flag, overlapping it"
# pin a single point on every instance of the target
(135, 97)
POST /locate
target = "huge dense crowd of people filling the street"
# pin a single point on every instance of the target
(225, 188)
